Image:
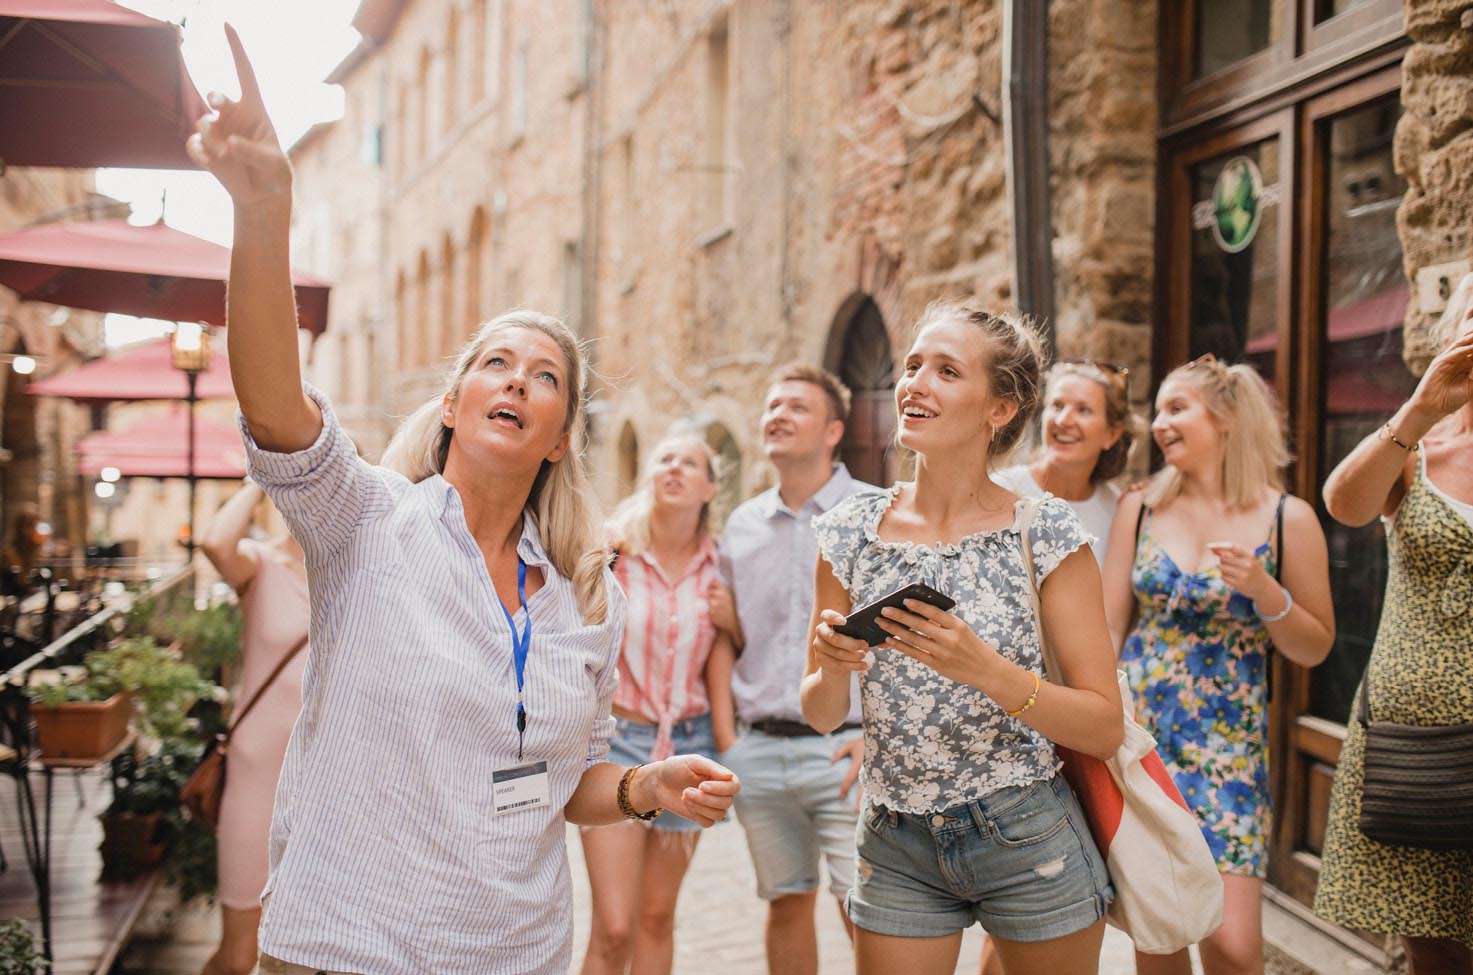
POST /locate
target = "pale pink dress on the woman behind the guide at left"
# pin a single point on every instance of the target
(275, 615)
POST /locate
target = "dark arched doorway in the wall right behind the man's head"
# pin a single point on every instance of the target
(865, 365)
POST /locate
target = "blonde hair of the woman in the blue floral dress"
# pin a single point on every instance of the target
(1254, 448)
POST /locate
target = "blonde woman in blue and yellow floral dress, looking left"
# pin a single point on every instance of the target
(1197, 602)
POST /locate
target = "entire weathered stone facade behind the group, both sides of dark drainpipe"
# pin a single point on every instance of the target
(854, 164)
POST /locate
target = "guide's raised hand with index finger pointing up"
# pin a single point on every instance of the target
(238, 144)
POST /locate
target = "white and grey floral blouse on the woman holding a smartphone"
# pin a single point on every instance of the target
(932, 743)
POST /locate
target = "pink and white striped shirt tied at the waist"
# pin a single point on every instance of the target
(668, 638)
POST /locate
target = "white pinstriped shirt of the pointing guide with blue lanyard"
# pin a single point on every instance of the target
(387, 855)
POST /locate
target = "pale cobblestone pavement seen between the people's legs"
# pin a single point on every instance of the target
(718, 927)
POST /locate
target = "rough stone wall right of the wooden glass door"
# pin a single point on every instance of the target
(1435, 151)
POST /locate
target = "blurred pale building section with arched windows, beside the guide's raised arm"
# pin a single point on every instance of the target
(472, 210)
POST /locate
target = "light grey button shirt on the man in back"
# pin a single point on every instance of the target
(768, 560)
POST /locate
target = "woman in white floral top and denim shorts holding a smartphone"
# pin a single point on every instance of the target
(963, 793)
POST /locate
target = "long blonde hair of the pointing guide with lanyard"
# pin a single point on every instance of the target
(562, 501)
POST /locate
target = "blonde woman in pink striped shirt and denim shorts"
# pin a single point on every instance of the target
(667, 565)
